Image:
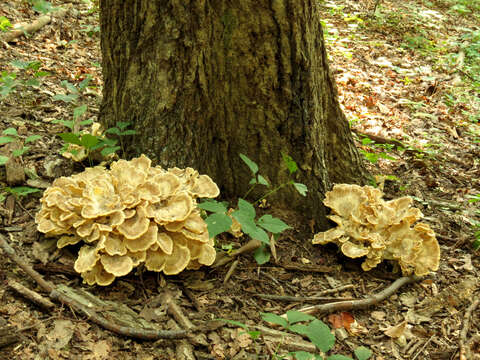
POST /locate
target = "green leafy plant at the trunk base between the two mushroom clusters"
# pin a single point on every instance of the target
(219, 220)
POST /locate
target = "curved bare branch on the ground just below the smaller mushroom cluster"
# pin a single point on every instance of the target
(362, 303)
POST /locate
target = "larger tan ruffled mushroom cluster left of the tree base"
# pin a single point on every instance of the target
(131, 214)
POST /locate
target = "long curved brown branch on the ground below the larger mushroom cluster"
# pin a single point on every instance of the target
(92, 314)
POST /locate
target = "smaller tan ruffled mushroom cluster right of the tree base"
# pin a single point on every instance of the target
(380, 230)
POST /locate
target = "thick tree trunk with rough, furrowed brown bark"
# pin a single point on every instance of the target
(203, 81)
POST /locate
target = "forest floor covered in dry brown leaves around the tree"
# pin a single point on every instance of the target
(409, 71)
